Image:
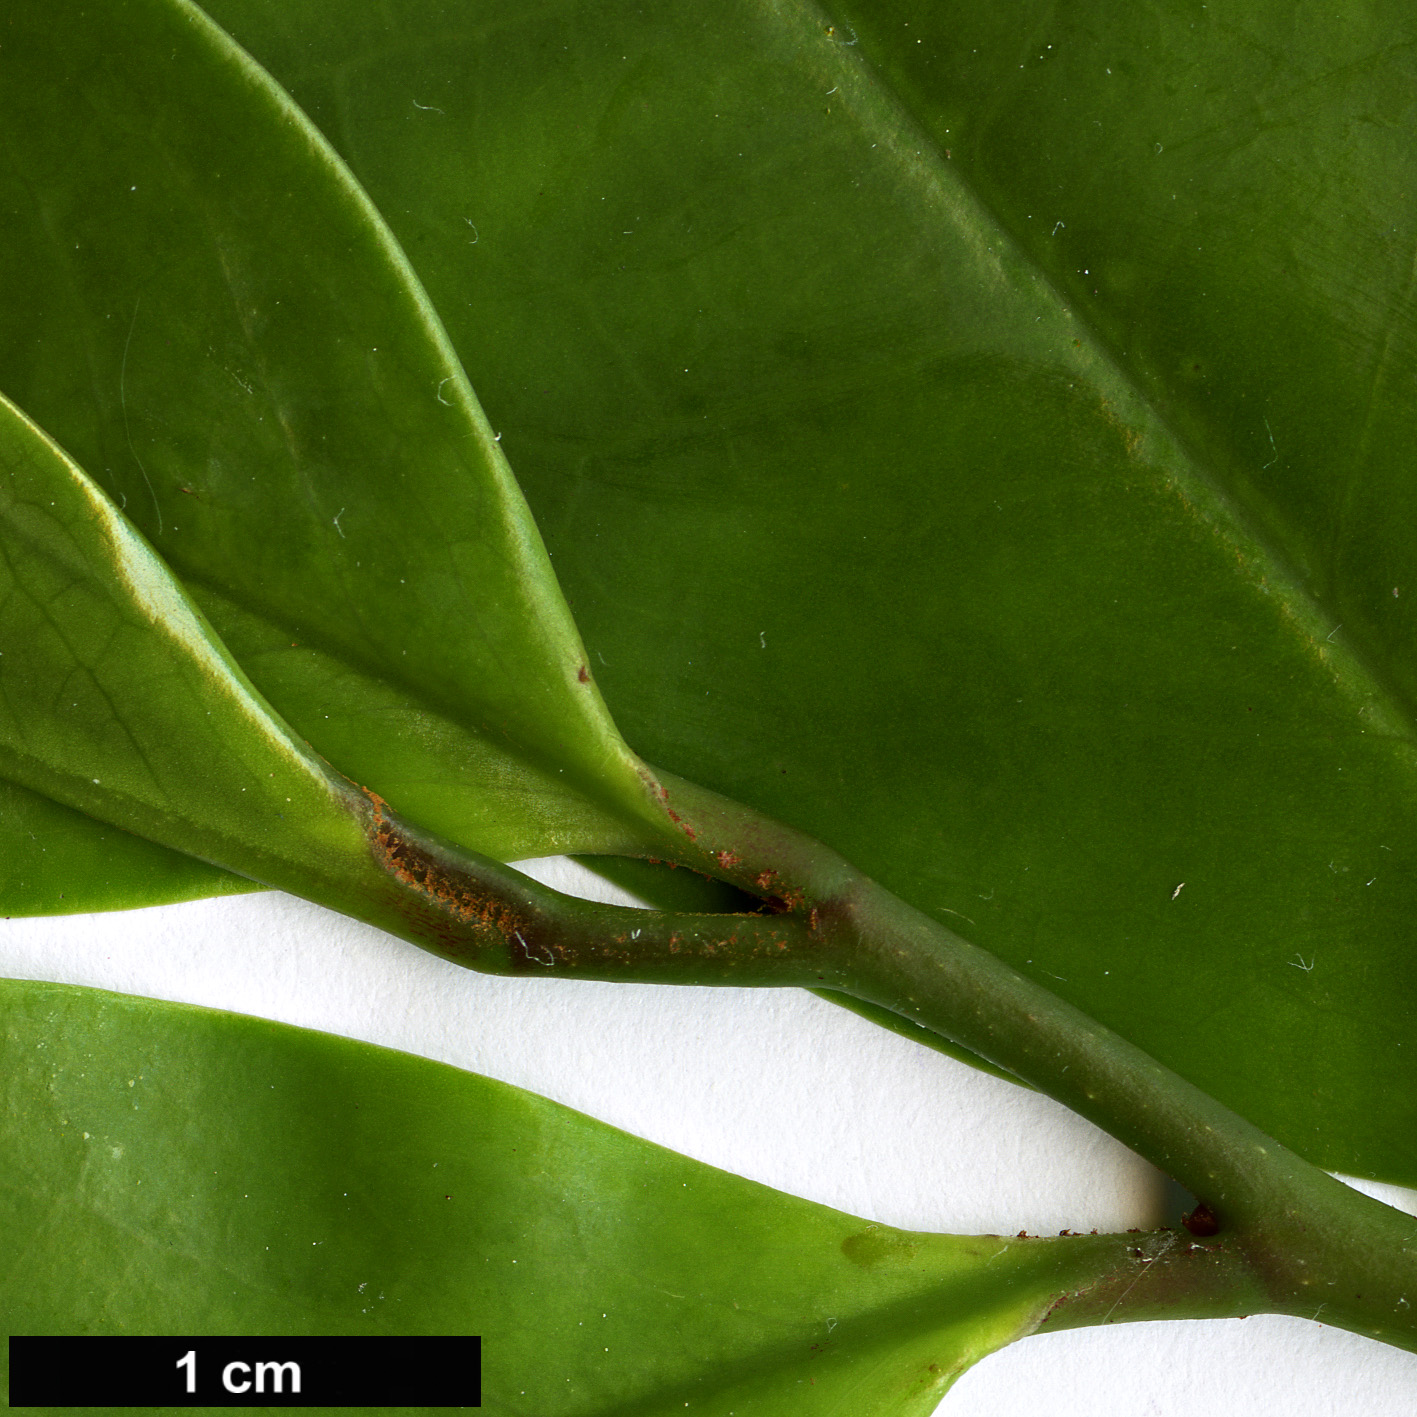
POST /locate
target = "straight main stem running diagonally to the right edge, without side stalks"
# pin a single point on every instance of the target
(1320, 1246)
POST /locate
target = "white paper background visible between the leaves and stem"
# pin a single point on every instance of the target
(773, 1085)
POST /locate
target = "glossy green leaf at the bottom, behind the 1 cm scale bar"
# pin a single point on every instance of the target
(178, 1170)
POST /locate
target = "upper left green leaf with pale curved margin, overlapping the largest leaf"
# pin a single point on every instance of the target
(206, 311)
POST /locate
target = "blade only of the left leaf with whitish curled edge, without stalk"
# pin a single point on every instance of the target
(118, 702)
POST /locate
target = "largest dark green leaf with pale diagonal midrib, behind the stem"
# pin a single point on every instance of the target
(915, 481)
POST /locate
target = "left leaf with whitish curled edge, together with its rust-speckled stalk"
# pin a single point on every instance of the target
(118, 702)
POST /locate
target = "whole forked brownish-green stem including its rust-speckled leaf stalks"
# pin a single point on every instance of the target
(1292, 1239)
